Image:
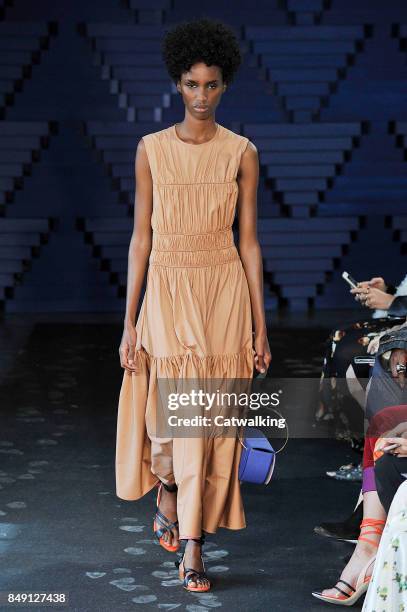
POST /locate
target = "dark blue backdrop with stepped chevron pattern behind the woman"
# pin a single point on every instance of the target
(322, 93)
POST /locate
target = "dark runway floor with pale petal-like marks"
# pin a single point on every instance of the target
(63, 530)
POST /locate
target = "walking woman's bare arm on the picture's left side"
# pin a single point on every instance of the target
(139, 251)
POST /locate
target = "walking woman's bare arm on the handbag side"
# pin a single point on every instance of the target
(250, 252)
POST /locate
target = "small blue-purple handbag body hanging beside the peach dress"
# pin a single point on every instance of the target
(258, 458)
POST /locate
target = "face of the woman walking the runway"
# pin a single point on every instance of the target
(201, 89)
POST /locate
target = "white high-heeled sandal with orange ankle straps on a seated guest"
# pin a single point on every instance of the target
(362, 583)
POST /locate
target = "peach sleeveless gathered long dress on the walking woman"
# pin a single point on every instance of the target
(195, 321)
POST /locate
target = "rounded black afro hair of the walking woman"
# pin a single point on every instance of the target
(201, 40)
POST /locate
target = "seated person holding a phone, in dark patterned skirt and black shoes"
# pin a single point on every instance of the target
(336, 400)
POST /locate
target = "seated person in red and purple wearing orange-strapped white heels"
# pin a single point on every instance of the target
(386, 392)
